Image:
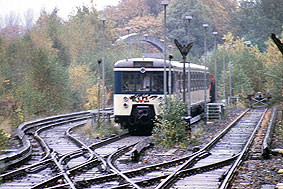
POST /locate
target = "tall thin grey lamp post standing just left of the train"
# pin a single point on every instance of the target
(103, 66)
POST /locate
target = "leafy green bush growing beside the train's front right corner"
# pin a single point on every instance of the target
(169, 128)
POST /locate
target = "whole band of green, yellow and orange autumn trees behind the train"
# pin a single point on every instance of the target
(51, 67)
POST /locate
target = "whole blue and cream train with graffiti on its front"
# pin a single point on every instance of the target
(139, 90)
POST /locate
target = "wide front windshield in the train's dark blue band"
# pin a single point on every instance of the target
(140, 82)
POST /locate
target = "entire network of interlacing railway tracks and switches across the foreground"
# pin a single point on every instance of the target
(60, 160)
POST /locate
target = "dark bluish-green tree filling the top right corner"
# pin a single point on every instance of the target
(256, 20)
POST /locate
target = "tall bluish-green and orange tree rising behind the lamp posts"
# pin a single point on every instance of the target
(214, 13)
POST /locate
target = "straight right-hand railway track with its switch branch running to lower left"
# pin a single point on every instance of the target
(215, 159)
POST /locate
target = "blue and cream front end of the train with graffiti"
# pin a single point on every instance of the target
(138, 93)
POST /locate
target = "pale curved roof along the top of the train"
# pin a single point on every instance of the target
(153, 63)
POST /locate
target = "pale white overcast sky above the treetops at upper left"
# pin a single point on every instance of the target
(65, 6)
